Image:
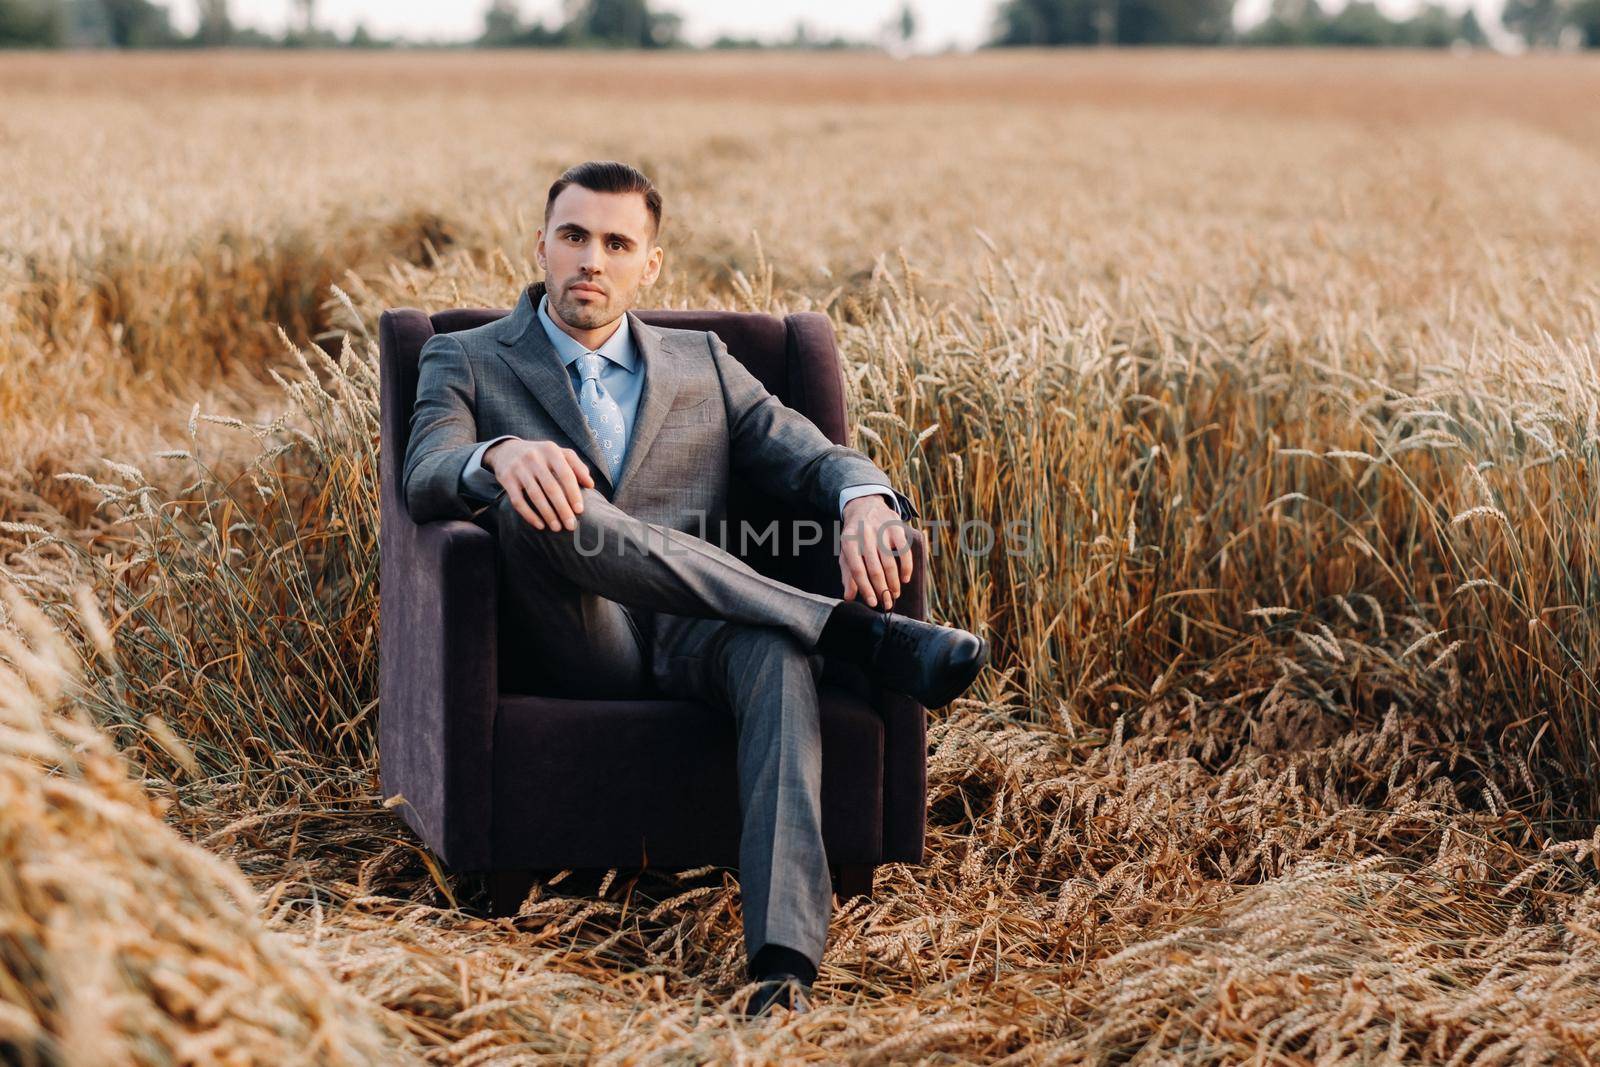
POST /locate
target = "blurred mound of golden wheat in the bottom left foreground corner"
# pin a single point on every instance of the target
(122, 941)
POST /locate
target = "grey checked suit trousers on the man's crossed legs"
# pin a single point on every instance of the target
(719, 633)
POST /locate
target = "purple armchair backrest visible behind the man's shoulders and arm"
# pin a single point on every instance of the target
(794, 358)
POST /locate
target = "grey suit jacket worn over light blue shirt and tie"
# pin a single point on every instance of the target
(700, 418)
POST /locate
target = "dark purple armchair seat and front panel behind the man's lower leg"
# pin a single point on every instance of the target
(655, 783)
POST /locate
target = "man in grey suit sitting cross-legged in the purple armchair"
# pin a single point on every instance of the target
(591, 444)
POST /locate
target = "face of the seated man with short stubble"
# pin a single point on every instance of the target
(598, 255)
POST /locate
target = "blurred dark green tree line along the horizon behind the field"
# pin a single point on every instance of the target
(1017, 23)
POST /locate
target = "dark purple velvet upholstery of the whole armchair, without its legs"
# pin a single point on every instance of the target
(500, 781)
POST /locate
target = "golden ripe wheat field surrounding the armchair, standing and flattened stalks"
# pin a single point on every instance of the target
(1290, 746)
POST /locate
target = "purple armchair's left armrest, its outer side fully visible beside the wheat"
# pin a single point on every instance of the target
(438, 681)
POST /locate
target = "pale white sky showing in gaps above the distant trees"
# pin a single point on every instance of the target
(942, 23)
